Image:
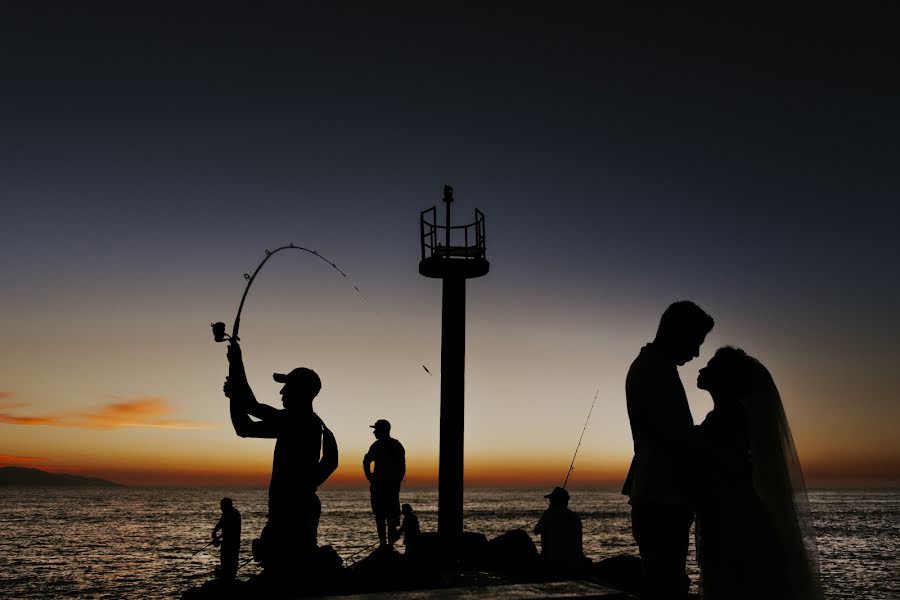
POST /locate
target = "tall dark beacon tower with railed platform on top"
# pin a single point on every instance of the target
(453, 254)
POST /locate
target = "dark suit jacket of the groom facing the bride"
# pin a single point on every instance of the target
(663, 468)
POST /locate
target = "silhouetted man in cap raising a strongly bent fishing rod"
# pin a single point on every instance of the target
(289, 537)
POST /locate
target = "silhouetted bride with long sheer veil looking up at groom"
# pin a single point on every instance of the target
(754, 529)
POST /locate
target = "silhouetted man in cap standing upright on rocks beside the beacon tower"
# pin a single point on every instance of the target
(390, 468)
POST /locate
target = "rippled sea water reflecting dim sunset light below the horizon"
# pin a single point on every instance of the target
(136, 542)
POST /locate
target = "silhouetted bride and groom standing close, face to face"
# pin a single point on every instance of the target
(737, 472)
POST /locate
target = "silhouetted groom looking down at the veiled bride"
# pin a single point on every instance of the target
(661, 481)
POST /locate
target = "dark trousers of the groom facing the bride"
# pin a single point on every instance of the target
(662, 533)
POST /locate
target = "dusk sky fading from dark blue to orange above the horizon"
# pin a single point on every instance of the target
(624, 158)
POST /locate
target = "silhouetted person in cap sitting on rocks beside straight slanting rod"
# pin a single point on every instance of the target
(561, 534)
